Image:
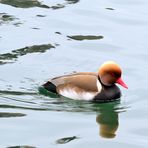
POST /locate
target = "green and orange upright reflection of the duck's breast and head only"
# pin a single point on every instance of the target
(108, 120)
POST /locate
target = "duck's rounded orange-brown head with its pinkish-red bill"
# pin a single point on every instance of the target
(110, 73)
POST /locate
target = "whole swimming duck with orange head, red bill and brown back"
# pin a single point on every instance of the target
(97, 86)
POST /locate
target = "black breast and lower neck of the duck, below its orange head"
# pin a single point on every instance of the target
(107, 94)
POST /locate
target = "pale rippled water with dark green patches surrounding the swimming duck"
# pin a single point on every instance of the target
(43, 39)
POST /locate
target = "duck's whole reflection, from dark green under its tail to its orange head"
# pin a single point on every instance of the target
(107, 113)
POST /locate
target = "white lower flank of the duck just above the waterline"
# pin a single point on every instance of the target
(77, 96)
